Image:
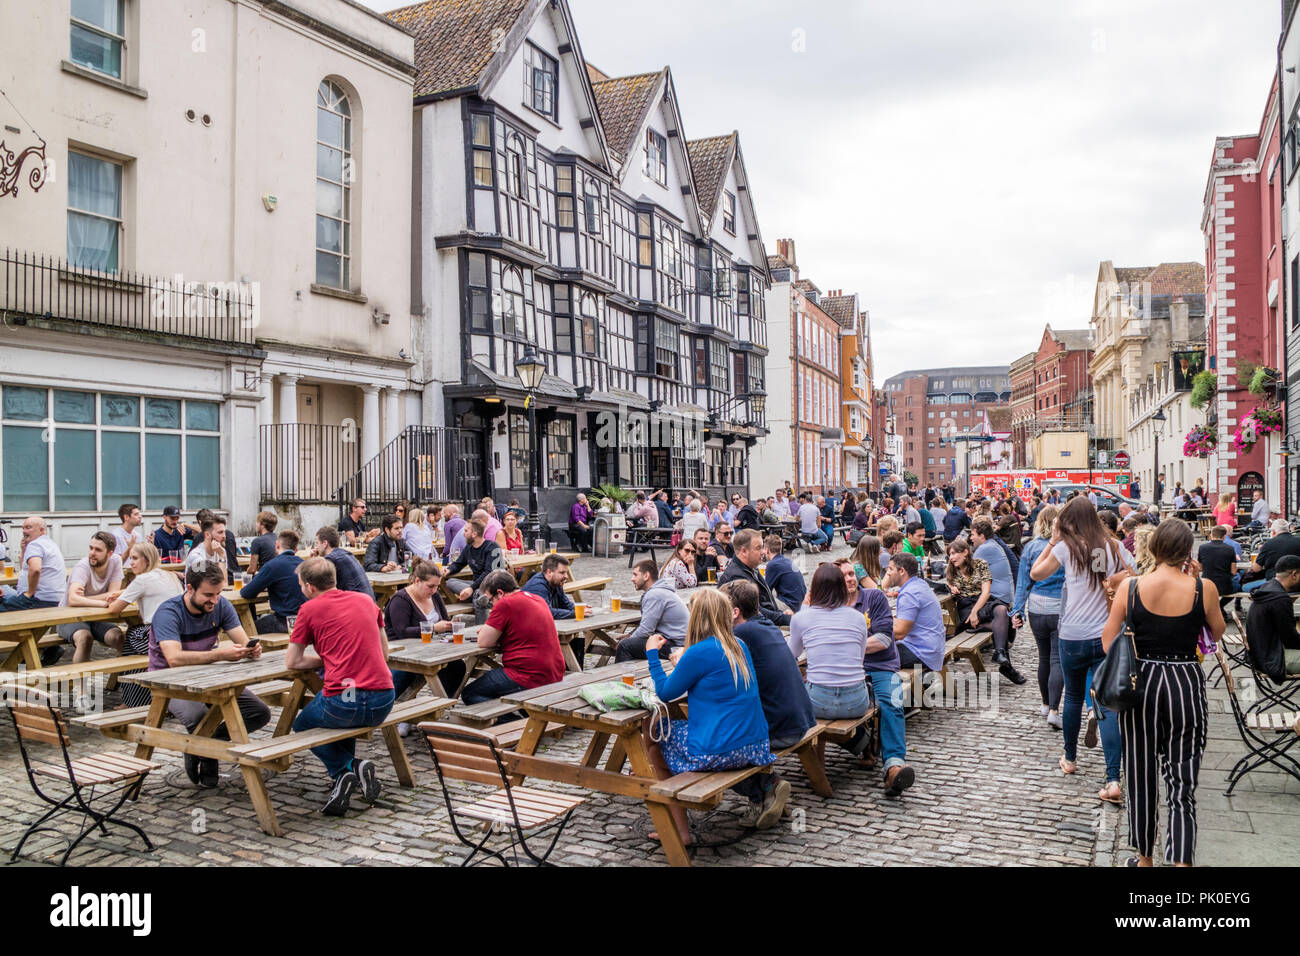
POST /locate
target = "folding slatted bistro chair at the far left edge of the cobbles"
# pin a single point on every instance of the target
(38, 723)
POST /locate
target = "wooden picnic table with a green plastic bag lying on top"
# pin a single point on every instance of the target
(562, 704)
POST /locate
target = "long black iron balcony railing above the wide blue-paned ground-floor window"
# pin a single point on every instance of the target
(41, 287)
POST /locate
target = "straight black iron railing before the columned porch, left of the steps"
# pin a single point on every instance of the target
(306, 465)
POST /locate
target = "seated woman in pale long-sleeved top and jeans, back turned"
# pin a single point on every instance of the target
(834, 635)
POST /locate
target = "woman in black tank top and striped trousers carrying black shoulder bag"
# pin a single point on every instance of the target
(1168, 729)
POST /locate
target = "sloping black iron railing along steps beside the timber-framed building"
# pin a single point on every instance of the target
(423, 465)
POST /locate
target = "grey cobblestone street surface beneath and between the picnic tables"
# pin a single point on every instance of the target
(987, 793)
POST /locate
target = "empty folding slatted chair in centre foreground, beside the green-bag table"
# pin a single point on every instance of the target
(463, 754)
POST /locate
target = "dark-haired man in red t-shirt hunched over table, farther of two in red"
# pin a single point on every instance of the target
(522, 625)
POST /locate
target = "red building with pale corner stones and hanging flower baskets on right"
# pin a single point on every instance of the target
(1242, 224)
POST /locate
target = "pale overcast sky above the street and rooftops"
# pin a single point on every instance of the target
(965, 166)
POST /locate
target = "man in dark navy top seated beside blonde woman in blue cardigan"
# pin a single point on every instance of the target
(786, 703)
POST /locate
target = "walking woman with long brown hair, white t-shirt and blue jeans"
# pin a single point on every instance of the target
(1094, 565)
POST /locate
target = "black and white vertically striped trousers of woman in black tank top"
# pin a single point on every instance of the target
(1167, 730)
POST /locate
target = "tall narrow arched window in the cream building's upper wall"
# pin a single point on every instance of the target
(333, 187)
